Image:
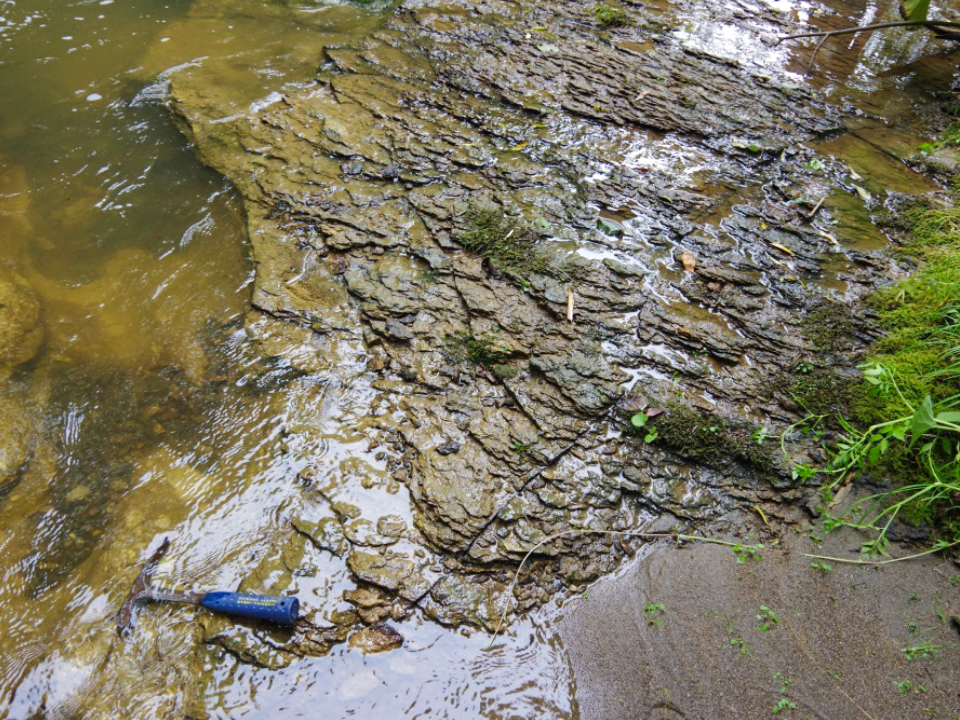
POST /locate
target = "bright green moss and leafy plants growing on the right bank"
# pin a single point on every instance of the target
(906, 423)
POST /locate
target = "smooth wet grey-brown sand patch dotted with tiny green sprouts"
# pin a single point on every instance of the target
(839, 639)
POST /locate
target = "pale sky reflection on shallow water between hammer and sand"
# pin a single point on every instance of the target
(527, 677)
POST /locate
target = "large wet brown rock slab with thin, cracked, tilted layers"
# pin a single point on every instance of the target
(504, 419)
